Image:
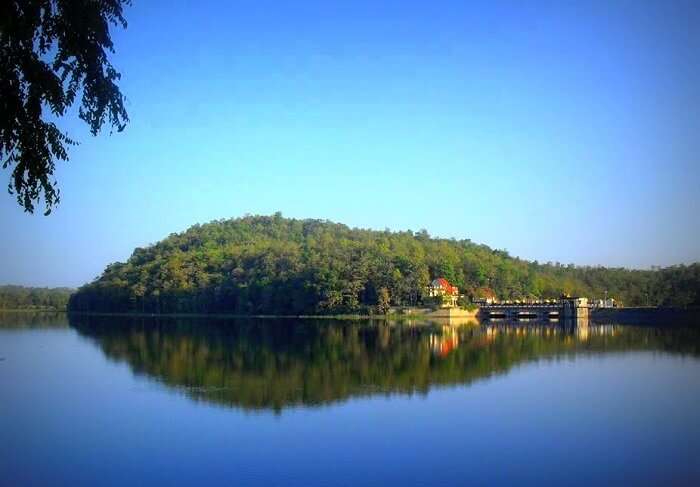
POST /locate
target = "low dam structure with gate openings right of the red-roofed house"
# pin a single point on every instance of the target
(565, 308)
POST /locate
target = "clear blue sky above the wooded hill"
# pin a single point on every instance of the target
(560, 131)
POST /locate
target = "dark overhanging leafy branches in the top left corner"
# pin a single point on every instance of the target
(51, 52)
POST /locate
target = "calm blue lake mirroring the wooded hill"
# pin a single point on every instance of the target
(182, 401)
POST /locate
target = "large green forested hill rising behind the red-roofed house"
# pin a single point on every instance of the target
(276, 265)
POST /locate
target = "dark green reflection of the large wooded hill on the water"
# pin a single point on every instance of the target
(278, 363)
